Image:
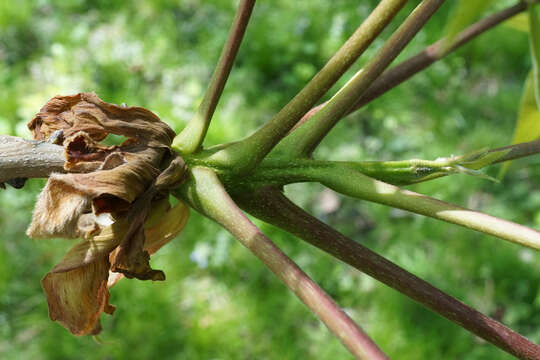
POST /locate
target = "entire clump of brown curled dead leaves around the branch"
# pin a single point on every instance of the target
(105, 198)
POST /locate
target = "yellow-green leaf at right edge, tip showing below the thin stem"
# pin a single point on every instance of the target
(528, 122)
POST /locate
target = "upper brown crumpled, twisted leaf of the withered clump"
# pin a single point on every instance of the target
(109, 178)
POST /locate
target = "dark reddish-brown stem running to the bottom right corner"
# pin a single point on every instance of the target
(270, 205)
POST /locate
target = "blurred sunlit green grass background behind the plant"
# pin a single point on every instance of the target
(218, 301)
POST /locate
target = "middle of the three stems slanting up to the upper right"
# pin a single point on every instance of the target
(306, 137)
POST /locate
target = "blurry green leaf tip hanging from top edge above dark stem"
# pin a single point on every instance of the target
(463, 14)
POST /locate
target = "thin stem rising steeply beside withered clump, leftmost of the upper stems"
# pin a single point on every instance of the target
(192, 137)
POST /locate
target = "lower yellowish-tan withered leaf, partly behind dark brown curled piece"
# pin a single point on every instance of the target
(76, 281)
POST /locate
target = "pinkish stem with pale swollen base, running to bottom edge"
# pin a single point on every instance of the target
(206, 194)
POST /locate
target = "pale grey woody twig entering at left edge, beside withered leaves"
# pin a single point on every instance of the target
(20, 158)
